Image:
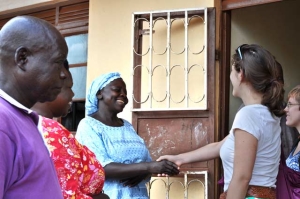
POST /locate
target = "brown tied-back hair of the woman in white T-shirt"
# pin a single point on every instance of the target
(265, 74)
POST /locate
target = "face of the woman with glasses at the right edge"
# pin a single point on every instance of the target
(293, 113)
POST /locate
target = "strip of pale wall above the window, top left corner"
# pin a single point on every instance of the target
(18, 5)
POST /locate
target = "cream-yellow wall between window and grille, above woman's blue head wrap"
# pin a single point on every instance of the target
(109, 47)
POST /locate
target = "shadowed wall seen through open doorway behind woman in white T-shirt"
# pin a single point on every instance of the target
(276, 27)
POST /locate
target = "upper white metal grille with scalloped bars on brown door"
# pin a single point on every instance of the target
(168, 76)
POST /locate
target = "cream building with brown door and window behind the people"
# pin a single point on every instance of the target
(106, 36)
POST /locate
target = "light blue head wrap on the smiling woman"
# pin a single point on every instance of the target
(91, 104)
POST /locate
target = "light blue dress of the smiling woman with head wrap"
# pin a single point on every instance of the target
(115, 144)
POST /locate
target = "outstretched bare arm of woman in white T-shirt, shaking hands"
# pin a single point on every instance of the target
(204, 153)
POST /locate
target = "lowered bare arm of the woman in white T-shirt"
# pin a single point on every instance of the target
(245, 149)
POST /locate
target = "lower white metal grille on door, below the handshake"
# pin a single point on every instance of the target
(168, 183)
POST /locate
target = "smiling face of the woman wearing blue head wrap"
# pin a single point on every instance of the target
(114, 96)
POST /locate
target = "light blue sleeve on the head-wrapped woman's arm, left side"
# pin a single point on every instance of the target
(86, 135)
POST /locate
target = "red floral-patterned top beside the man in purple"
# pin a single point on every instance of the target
(80, 174)
